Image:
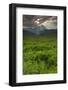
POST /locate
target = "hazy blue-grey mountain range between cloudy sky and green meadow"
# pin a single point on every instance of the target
(38, 31)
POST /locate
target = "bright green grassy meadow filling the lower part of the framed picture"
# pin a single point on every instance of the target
(40, 54)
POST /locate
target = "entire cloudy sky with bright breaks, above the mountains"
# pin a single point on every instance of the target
(49, 22)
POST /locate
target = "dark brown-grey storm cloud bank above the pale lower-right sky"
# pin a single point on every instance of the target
(34, 20)
